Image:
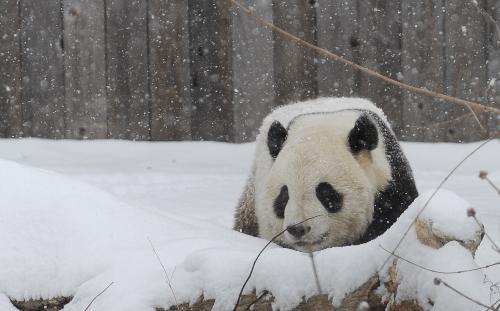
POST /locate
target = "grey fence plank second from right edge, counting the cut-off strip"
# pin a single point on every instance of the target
(466, 70)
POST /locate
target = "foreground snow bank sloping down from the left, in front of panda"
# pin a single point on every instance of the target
(62, 237)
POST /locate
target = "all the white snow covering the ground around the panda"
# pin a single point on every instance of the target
(78, 215)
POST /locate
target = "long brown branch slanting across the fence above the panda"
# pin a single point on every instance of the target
(367, 71)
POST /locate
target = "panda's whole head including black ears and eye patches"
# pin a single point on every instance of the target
(328, 165)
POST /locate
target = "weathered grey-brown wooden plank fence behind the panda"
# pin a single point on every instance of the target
(202, 70)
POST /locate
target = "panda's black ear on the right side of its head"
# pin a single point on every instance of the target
(364, 135)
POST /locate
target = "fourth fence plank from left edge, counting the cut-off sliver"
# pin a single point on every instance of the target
(127, 69)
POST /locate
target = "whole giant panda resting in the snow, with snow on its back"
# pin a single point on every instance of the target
(334, 160)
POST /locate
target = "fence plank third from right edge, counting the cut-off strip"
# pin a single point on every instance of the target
(423, 66)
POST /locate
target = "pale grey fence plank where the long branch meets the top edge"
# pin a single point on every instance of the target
(252, 70)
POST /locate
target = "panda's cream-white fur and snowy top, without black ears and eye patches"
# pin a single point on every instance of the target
(317, 151)
